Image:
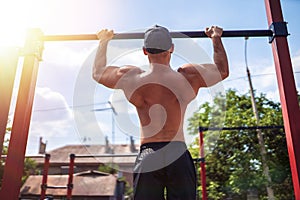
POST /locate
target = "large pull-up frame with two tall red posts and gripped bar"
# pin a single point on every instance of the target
(32, 53)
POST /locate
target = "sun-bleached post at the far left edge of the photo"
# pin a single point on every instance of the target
(8, 68)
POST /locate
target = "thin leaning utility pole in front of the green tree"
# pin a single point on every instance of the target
(260, 137)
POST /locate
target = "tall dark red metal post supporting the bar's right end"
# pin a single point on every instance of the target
(288, 94)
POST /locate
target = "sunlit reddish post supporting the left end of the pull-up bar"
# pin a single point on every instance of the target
(14, 165)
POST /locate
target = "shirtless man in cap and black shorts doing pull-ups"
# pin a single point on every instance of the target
(161, 96)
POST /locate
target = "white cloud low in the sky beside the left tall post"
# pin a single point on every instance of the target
(52, 119)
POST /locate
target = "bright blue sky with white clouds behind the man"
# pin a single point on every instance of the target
(65, 93)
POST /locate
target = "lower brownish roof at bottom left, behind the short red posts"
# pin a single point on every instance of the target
(85, 184)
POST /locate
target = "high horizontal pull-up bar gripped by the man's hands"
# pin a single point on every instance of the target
(183, 34)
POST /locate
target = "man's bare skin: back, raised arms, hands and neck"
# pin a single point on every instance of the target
(161, 95)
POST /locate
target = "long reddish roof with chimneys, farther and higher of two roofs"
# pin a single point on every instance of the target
(122, 154)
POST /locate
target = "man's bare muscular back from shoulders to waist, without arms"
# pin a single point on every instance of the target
(160, 97)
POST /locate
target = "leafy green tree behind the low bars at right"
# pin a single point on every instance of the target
(232, 157)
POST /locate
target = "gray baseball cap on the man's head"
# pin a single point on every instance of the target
(157, 39)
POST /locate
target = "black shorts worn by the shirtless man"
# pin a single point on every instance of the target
(164, 165)
